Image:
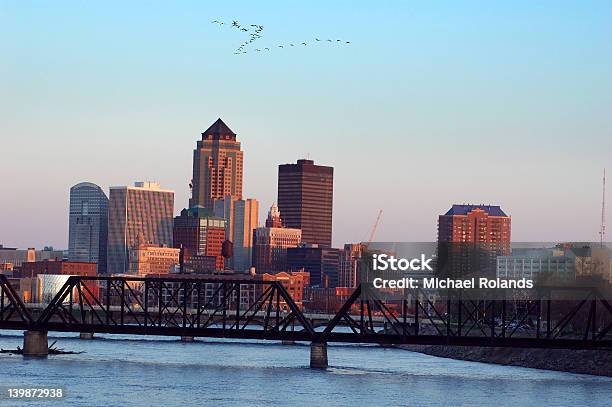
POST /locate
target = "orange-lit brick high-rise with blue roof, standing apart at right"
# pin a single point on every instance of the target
(470, 237)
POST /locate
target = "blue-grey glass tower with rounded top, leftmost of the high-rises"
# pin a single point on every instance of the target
(88, 225)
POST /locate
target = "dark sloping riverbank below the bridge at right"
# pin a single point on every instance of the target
(594, 362)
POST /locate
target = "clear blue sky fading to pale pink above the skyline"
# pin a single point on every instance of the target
(431, 103)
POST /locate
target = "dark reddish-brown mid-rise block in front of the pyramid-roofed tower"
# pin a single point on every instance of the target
(201, 234)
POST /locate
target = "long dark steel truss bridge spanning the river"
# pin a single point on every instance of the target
(239, 308)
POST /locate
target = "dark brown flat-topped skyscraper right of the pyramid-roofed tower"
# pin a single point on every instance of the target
(305, 198)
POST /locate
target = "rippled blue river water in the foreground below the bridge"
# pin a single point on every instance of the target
(132, 371)
